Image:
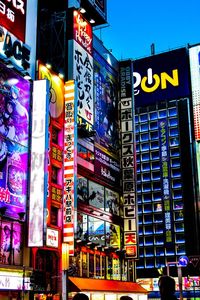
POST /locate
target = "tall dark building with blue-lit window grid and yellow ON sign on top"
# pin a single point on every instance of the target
(167, 179)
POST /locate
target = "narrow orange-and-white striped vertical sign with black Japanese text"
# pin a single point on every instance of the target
(70, 166)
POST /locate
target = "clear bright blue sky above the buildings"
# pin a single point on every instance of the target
(134, 25)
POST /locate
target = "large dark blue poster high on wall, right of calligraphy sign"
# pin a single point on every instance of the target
(106, 108)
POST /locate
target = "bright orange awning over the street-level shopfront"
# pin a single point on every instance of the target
(77, 284)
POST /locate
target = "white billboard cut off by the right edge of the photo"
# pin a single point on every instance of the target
(194, 53)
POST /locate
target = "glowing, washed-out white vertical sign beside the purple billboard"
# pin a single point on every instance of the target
(38, 176)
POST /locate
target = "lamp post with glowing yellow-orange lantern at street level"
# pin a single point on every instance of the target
(65, 266)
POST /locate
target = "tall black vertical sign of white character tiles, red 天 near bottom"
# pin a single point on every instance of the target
(128, 159)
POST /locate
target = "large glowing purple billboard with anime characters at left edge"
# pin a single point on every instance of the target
(14, 134)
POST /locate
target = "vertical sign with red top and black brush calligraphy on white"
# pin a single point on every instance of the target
(83, 67)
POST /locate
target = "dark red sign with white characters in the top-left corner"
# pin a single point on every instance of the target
(13, 17)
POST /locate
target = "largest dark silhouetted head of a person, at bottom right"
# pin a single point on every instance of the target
(167, 287)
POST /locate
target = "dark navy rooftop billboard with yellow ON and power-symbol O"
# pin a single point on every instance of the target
(161, 77)
